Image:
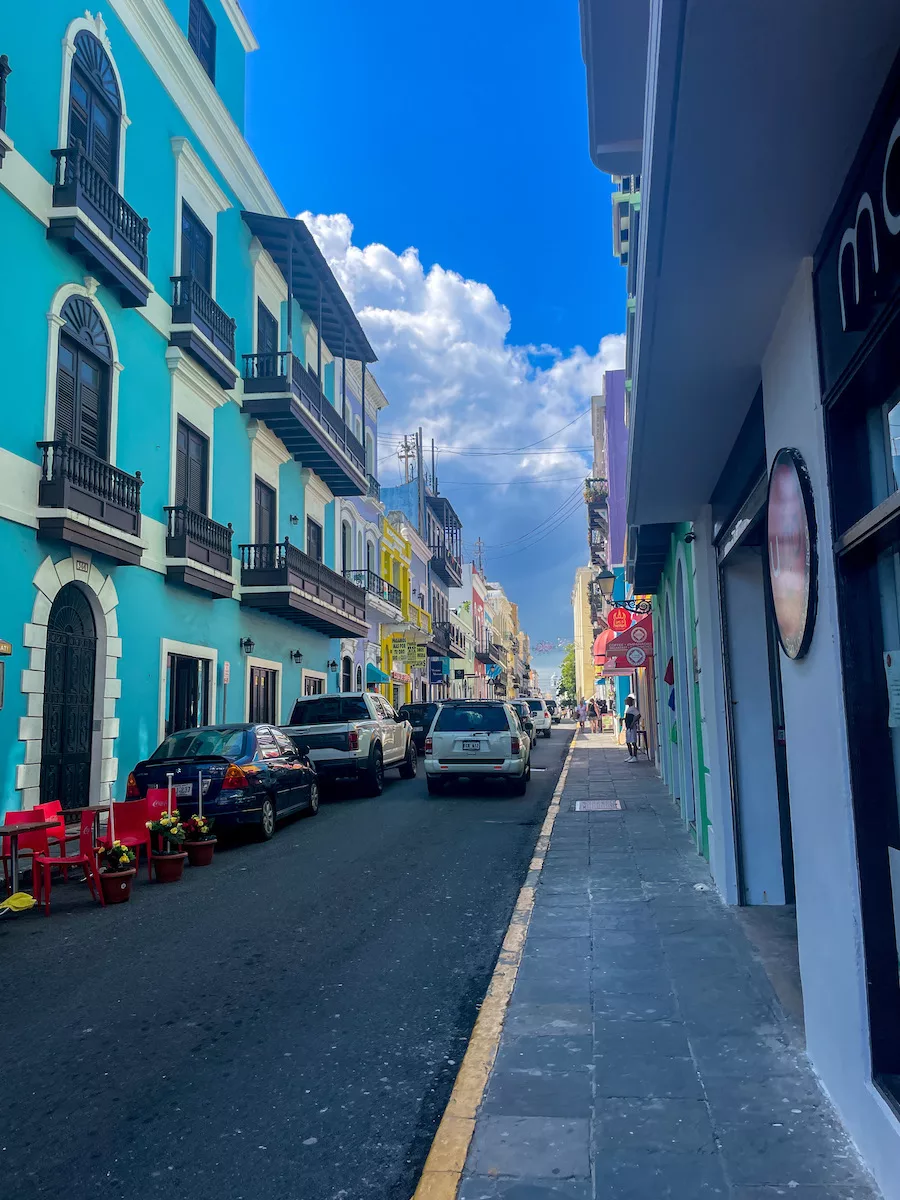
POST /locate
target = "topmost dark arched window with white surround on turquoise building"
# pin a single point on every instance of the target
(95, 106)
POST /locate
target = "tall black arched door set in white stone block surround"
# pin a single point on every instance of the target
(69, 700)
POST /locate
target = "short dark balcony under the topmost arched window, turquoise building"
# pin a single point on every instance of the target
(91, 203)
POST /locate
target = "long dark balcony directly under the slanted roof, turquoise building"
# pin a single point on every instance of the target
(279, 391)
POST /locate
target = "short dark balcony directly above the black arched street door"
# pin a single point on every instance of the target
(97, 506)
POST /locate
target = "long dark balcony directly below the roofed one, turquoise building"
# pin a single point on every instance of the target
(280, 579)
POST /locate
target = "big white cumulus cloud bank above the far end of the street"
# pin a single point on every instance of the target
(446, 364)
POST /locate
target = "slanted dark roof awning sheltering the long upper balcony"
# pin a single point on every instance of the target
(302, 262)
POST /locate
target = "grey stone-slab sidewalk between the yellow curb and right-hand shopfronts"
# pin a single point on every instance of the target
(645, 1054)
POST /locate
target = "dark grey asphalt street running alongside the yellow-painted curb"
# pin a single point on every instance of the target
(287, 1023)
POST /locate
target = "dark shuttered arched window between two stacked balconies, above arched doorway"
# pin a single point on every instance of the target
(83, 379)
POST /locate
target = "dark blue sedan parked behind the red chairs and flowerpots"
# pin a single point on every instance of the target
(253, 776)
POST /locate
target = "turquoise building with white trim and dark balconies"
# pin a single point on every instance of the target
(187, 406)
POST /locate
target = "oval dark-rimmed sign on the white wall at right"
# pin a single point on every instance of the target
(793, 553)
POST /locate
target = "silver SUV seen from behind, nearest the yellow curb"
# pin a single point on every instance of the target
(477, 739)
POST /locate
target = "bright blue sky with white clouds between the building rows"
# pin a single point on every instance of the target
(460, 131)
